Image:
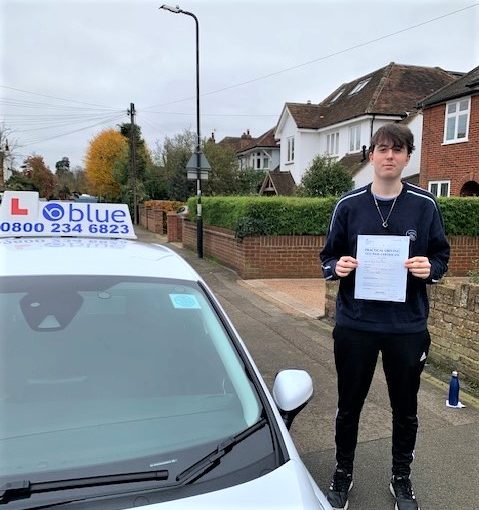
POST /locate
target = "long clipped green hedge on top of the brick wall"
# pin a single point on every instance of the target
(259, 215)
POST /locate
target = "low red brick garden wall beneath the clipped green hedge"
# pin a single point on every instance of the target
(294, 256)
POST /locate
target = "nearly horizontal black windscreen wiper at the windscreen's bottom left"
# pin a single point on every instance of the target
(23, 489)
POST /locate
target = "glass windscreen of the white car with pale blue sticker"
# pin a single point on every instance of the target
(98, 371)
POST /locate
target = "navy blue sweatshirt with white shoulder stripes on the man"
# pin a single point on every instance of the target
(415, 215)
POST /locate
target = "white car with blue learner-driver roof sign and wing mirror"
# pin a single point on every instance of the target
(123, 384)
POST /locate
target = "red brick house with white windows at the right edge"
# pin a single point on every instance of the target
(450, 140)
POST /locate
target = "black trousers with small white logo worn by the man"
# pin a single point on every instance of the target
(403, 356)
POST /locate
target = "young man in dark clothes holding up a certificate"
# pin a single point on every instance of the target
(396, 328)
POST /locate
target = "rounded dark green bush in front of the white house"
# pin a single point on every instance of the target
(325, 177)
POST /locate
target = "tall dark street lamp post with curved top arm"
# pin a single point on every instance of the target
(199, 217)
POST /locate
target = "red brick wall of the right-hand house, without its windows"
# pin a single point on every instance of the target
(458, 162)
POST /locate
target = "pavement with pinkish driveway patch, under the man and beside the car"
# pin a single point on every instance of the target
(278, 320)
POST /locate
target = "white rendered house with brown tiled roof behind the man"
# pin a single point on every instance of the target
(343, 123)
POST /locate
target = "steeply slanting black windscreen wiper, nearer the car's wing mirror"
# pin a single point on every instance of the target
(212, 459)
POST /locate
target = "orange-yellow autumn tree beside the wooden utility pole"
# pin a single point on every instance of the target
(104, 151)
